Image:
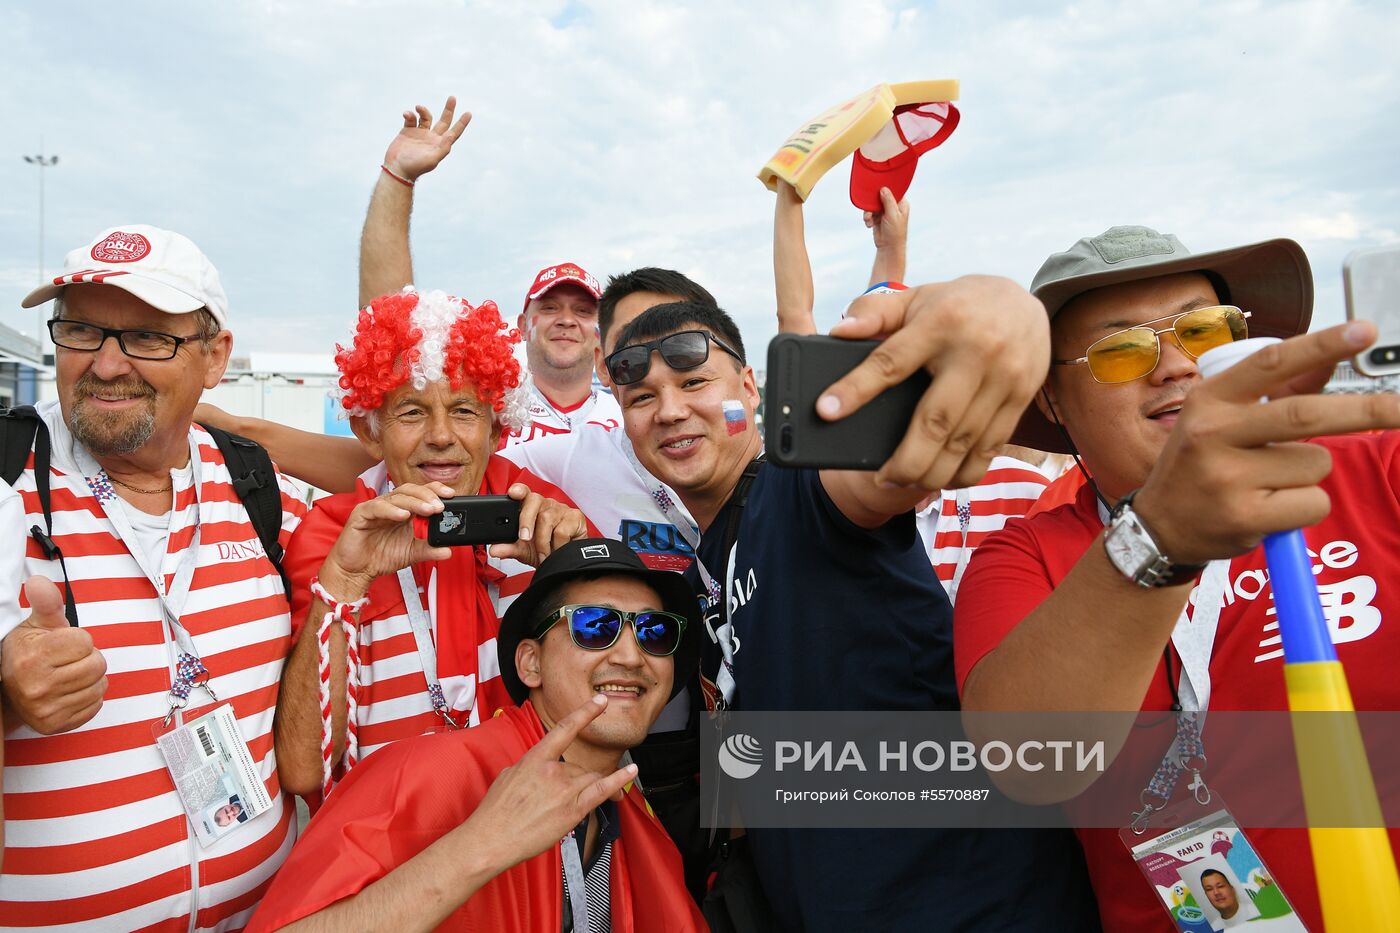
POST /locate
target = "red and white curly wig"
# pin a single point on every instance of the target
(425, 338)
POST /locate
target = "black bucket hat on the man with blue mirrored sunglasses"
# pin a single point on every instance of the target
(587, 558)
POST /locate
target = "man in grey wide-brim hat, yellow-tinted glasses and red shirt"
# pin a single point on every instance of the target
(1150, 590)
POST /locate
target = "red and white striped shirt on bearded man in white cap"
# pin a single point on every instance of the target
(96, 836)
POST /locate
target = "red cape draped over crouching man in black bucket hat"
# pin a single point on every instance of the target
(405, 798)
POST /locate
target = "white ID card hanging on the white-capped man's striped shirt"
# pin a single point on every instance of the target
(215, 774)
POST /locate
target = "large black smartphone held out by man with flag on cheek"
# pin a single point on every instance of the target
(800, 371)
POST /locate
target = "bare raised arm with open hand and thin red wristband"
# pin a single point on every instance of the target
(386, 263)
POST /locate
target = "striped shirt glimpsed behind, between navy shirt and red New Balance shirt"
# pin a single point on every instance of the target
(958, 520)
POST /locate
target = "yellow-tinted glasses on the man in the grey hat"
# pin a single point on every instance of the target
(1135, 352)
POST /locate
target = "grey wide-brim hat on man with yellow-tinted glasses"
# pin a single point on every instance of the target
(1270, 279)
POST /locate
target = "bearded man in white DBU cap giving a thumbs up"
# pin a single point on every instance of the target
(174, 602)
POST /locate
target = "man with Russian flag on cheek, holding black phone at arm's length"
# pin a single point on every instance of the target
(822, 597)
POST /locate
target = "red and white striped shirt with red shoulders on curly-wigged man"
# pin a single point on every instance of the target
(393, 698)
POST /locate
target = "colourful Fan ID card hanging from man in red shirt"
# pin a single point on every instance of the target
(1209, 876)
